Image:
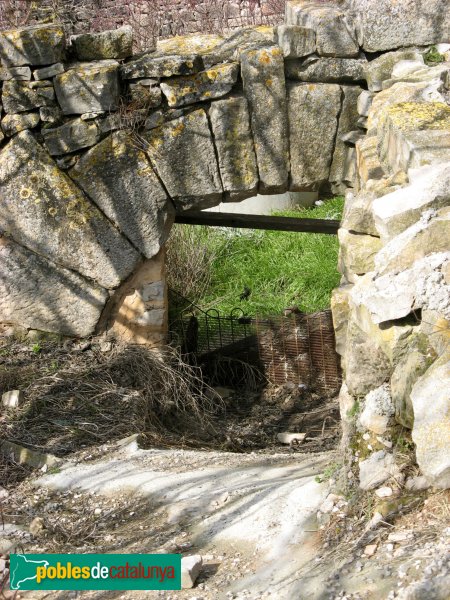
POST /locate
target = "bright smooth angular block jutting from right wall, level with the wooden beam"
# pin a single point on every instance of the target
(429, 189)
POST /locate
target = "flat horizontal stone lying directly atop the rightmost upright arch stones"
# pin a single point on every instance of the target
(327, 70)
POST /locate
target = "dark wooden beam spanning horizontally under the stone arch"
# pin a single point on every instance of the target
(215, 219)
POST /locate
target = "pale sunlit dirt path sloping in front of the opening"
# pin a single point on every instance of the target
(251, 516)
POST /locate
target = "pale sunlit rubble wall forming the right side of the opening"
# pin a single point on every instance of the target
(392, 311)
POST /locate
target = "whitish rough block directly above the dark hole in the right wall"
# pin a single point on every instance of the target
(395, 295)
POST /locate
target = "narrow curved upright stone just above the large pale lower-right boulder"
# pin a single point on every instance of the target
(416, 359)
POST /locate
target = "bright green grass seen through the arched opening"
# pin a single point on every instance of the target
(282, 269)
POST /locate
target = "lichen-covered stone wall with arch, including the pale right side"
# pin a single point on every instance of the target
(100, 148)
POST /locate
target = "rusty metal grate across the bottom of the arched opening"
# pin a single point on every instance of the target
(299, 348)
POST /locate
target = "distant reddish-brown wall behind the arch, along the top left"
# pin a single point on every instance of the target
(149, 18)
